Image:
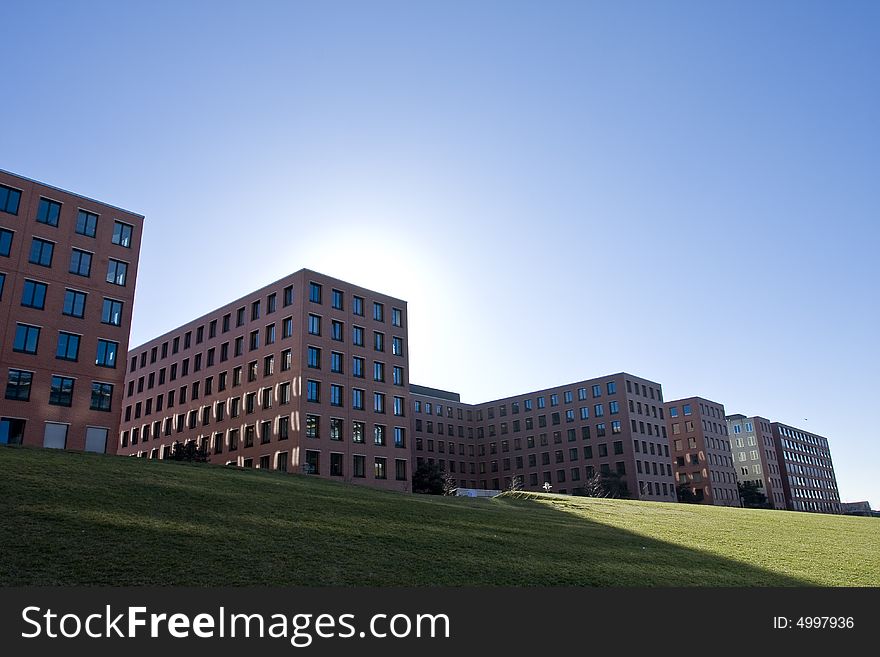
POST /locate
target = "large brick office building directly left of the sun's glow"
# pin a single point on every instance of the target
(308, 374)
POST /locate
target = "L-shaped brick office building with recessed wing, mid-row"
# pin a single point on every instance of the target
(611, 426)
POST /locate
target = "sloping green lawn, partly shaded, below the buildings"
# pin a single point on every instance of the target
(70, 518)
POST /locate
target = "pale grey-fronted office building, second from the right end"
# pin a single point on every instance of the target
(754, 456)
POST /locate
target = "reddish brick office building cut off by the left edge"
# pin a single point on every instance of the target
(68, 266)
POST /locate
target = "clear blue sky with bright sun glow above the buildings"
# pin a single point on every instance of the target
(689, 191)
